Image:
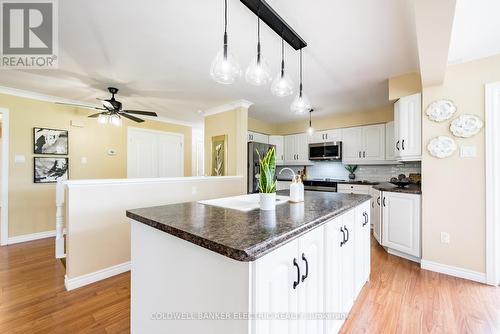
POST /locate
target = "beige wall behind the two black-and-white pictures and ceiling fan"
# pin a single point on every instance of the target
(32, 207)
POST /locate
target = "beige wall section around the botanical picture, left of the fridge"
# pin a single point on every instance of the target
(234, 124)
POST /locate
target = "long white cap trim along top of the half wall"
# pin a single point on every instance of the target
(77, 183)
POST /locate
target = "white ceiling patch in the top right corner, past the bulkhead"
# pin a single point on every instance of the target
(476, 30)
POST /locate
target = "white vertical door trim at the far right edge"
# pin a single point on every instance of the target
(492, 126)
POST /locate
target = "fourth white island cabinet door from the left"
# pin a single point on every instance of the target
(347, 262)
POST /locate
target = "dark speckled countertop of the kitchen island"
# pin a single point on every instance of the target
(246, 236)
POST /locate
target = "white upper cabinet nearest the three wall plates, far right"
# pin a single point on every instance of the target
(408, 128)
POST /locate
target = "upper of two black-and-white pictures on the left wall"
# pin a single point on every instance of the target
(50, 141)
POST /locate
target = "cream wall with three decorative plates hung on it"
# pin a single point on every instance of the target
(454, 188)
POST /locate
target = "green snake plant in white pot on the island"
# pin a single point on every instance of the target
(267, 181)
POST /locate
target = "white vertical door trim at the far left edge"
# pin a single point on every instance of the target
(4, 217)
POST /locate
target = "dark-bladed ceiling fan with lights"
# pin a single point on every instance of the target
(112, 110)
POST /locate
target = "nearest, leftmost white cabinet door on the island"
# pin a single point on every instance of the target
(275, 274)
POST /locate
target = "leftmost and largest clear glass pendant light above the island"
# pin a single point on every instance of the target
(225, 69)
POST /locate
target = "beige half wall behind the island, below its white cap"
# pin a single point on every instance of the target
(100, 238)
